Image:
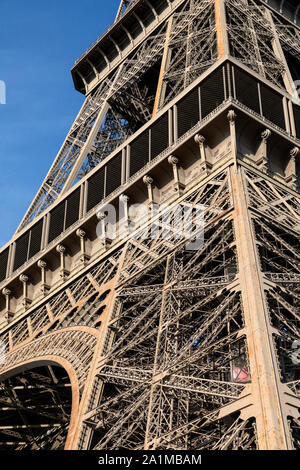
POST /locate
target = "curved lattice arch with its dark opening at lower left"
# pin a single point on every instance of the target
(40, 384)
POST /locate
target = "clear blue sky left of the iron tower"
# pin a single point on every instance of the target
(39, 43)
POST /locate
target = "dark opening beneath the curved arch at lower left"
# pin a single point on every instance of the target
(35, 408)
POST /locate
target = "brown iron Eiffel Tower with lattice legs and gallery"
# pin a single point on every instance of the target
(117, 336)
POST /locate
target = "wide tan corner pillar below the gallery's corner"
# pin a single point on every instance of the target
(272, 427)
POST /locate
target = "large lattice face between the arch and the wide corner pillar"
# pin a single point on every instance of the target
(175, 354)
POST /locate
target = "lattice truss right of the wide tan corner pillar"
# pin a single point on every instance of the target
(277, 232)
